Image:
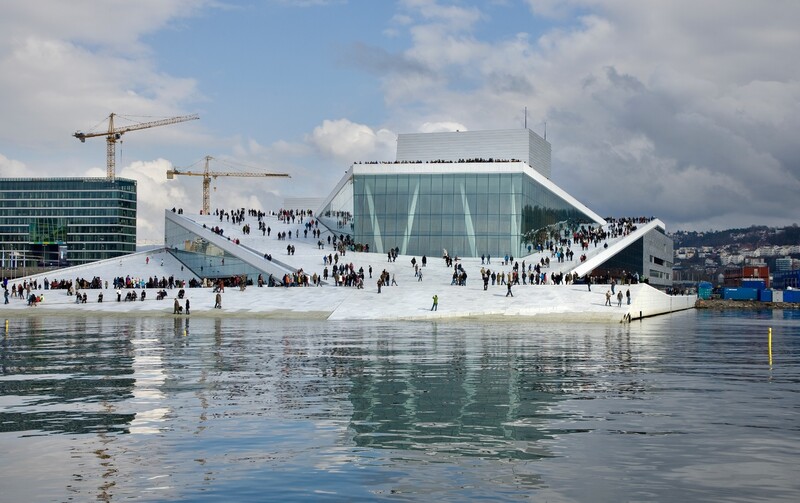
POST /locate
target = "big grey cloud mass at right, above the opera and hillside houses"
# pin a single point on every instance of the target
(673, 108)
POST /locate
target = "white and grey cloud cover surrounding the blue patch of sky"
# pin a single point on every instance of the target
(681, 109)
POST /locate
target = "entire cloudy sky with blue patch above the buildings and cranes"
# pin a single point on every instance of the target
(685, 110)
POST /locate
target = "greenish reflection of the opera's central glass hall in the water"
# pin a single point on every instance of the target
(491, 407)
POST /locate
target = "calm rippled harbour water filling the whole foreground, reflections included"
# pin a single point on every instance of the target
(678, 408)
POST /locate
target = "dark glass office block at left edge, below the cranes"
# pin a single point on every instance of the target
(60, 221)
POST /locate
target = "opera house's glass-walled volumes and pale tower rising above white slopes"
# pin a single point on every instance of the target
(461, 194)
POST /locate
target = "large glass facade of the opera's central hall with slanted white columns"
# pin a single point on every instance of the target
(465, 214)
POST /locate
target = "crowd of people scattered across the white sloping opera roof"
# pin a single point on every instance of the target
(337, 272)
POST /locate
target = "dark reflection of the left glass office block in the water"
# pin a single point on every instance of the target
(54, 401)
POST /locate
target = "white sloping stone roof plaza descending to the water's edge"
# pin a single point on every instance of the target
(410, 300)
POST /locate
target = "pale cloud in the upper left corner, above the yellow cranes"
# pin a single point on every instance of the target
(69, 64)
